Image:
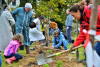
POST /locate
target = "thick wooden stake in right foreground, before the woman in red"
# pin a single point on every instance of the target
(93, 20)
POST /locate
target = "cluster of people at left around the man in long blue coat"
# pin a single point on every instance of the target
(22, 19)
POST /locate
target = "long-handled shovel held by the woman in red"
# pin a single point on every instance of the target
(46, 58)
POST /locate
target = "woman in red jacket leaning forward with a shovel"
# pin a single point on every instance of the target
(83, 13)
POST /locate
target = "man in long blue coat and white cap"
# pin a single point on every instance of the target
(23, 16)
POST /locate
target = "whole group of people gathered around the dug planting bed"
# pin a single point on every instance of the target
(29, 29)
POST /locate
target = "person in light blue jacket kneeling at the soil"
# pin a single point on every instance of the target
(59, 40)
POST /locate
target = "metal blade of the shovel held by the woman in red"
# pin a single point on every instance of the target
(42, 60)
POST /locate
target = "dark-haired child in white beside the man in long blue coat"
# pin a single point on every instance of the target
(34, 33)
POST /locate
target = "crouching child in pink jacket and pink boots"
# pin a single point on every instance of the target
(10, 52)
